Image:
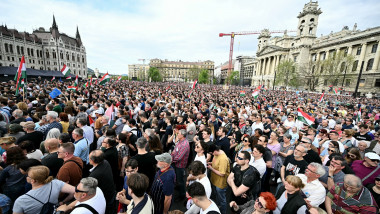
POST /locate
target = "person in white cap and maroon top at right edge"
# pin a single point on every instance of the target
(367, 169)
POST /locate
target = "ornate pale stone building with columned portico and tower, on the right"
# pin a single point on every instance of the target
(305, 49)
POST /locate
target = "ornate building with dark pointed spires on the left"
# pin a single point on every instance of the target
(43, 50)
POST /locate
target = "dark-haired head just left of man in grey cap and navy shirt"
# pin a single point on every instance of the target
(138, 183)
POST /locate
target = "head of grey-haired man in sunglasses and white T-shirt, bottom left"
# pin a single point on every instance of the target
(86, 189)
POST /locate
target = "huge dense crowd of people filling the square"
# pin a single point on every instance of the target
(138, 147)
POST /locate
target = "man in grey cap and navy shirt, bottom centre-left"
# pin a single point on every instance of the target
(163, 184)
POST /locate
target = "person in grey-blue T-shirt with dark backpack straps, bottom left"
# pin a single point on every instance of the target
(44, 190)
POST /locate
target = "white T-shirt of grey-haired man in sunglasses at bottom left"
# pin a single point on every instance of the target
(98, 202)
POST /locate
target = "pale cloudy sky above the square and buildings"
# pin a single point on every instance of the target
(116, 33)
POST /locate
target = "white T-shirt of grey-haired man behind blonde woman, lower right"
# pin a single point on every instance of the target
(314, 191)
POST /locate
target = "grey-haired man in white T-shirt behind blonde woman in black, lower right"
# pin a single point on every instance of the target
(314, 190)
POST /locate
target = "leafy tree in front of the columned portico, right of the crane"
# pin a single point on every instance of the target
(286, 74)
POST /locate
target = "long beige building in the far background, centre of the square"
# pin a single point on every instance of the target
(180, 70)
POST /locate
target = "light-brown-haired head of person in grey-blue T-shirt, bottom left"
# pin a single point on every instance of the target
(38, 175)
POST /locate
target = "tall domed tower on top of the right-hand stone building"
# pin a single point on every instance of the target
(308, 20)
